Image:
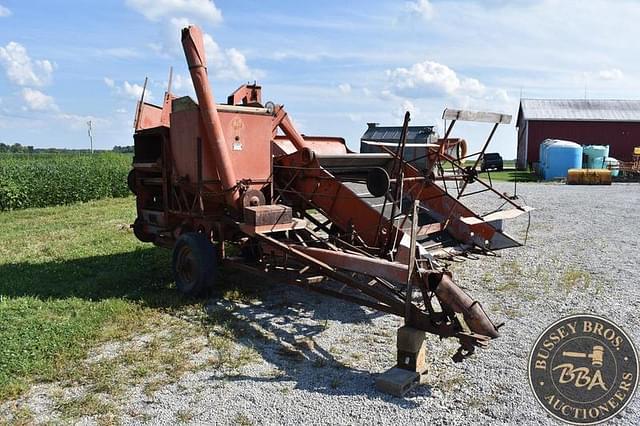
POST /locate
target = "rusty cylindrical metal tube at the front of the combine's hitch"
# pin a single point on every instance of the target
(449, 294)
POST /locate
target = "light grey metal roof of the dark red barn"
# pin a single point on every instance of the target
(580, 110)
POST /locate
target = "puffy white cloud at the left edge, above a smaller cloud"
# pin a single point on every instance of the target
(21, 69)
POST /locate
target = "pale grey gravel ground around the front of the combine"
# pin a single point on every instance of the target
(319, 364)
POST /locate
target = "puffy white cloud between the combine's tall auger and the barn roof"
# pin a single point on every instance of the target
(428, 79)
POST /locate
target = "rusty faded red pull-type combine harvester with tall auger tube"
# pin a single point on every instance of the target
(368, 228)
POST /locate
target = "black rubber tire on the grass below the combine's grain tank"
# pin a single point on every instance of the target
(200, 253)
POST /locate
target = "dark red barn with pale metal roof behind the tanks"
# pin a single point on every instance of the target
(587, 121)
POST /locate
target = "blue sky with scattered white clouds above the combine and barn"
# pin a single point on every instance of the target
(335, 65)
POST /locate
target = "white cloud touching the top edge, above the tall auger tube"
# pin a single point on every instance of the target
(154, 10)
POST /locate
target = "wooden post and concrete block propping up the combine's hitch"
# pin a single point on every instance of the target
(407, 374)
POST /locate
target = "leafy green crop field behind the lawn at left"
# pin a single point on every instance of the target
(43, 179)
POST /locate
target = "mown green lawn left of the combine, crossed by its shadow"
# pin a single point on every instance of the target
(70, 277)
